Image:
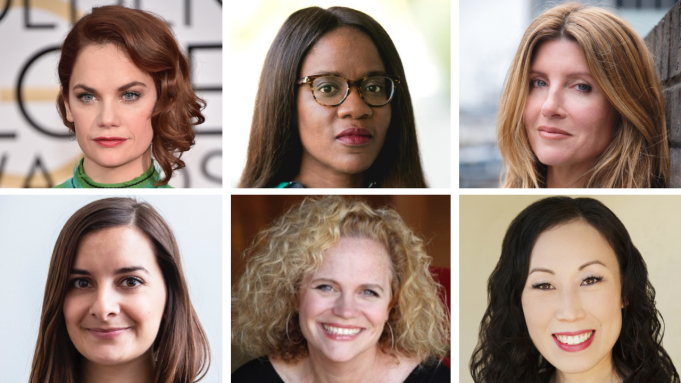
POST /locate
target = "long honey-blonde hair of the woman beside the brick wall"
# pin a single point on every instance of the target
(638, 154)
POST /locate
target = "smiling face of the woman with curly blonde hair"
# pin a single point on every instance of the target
(345, 304)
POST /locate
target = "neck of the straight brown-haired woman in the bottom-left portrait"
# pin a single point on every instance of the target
(139, 370)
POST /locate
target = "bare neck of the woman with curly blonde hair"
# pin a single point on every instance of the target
(362, 368)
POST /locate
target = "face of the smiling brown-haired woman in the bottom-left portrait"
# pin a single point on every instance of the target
(117, 295)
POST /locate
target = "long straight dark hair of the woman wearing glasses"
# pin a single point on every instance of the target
(274, 146)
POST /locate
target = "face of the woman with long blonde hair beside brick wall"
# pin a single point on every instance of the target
(568, 119)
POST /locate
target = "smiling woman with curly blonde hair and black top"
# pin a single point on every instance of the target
(338, 289)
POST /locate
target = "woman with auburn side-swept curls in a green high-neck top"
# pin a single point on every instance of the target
(126, 93)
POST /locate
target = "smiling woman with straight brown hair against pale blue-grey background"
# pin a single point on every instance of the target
(116, 302)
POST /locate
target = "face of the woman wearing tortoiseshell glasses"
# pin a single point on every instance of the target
(347, 138)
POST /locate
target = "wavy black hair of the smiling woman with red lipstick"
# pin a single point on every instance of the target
(505, 352)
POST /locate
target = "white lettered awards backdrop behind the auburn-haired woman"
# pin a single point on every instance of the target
(36, 149)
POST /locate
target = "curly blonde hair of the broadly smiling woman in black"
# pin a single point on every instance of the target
(265, 299)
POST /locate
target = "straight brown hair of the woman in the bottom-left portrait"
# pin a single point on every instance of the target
(181, 351)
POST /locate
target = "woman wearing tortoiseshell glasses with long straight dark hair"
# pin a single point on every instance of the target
(333, 107)
